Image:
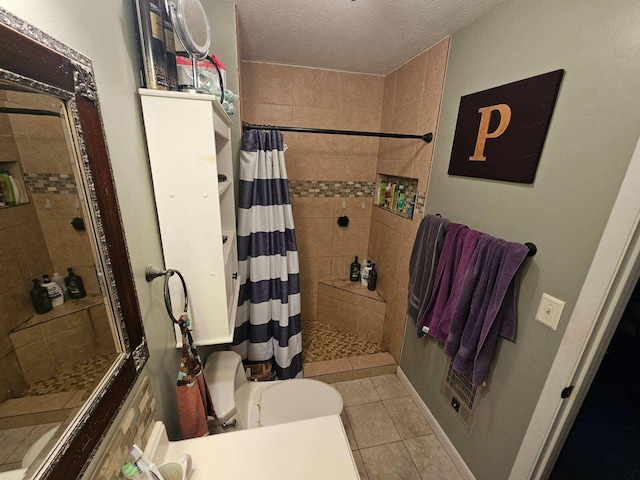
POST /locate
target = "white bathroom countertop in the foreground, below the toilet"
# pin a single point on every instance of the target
(310, 449)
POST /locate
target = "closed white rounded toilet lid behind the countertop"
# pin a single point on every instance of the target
(299, 399)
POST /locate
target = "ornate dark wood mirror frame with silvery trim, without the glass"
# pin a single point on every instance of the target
(35, 61)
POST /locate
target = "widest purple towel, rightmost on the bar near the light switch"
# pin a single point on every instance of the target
(486, 306)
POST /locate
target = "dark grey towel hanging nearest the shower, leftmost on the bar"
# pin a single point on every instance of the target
(424, 259)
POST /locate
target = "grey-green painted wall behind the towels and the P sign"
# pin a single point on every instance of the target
(591, 138)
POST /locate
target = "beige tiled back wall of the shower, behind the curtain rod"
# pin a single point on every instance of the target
(316, 98)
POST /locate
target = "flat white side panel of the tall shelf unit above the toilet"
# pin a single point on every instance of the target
(182, 152)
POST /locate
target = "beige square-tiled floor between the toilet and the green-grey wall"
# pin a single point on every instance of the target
(389, 437)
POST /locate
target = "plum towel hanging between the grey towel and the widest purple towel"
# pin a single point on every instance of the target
(459, 245)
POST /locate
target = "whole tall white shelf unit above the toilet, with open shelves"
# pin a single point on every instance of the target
(188, 138)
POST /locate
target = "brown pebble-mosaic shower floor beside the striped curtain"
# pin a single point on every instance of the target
(321, 342)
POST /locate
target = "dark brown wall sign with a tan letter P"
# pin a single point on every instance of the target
(501, 131)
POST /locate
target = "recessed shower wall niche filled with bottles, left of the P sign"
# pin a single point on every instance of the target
(396, 194)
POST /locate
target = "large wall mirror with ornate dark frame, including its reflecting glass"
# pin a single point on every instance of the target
(53, 156)
